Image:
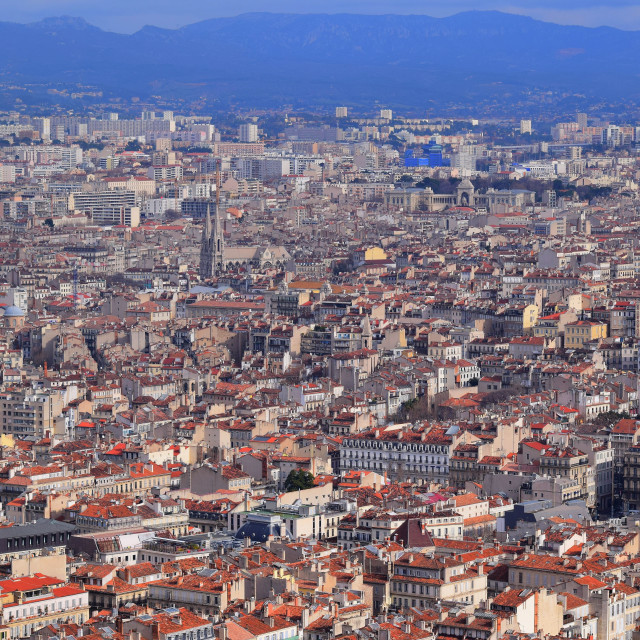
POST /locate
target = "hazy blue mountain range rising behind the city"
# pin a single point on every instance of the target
(266, 59)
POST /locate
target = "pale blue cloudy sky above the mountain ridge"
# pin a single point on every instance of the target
(127, 16)
